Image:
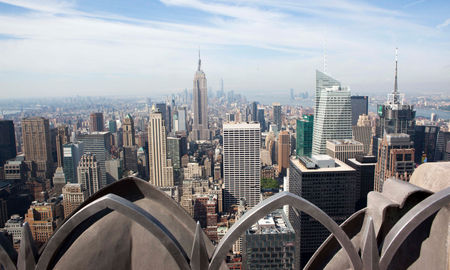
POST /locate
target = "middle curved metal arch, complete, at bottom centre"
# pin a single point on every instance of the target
(275, 202)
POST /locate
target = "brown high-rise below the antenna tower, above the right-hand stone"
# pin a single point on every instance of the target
(395, 159)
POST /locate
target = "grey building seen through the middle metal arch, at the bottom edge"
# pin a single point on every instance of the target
(269, 243)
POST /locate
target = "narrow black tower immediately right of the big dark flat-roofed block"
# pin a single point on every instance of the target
(365, 171)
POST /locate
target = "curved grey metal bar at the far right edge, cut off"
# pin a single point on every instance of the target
(409, 222)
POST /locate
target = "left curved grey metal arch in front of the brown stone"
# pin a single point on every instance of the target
(126, 208)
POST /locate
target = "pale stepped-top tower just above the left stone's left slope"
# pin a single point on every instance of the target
(89, 173)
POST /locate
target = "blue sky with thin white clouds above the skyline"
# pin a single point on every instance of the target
(138, 47)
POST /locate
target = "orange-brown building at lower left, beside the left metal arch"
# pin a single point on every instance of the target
(41, 218)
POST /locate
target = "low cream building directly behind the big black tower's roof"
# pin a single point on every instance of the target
(344, 149)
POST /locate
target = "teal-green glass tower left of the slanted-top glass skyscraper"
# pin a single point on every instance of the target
(304, 130)
